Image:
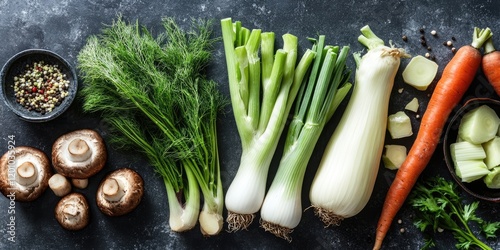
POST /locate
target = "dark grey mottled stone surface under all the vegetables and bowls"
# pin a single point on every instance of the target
(63, 26)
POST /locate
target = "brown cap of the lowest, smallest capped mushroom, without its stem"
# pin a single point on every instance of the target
(79, 206)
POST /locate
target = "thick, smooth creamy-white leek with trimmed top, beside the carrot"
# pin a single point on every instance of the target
(347, 171)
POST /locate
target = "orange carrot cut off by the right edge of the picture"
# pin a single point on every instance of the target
(491, 65)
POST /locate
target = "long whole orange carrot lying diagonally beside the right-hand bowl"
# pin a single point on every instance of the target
(454, 82)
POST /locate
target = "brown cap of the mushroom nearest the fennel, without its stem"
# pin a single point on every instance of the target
(134, 189)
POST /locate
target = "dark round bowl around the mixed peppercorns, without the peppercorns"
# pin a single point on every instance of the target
(17, 64)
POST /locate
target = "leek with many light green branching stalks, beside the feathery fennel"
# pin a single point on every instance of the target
(262, 91)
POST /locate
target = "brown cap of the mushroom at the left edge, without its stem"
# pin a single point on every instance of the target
(8, 165)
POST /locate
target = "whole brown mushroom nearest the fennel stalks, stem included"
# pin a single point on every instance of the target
(120, 192)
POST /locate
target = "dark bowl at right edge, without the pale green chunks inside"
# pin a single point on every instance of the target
(476, 188)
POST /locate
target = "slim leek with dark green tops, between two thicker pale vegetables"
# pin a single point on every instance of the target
(317, 101)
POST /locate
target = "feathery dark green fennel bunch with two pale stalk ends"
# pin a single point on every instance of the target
(153, 95)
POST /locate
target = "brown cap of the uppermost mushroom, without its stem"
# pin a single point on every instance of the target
(75, 169)
